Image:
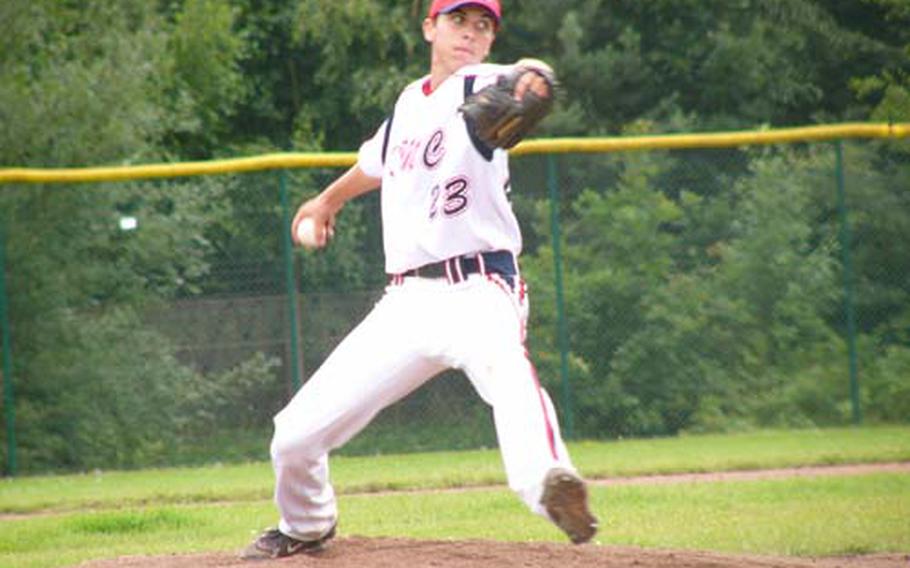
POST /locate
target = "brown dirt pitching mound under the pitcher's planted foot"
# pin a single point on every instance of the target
(353, 552)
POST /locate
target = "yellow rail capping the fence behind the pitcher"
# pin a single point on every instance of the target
(293, 160)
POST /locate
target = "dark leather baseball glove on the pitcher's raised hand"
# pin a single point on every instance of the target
(497, 118)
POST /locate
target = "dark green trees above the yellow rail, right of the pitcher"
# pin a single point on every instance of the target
(733, 64)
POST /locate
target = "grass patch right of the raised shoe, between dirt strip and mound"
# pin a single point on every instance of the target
(821, 516)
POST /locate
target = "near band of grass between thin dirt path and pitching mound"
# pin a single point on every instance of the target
(821, 516)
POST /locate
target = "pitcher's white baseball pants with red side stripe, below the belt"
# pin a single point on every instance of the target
(418, 329)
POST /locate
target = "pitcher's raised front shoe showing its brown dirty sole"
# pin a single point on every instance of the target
(565, 498)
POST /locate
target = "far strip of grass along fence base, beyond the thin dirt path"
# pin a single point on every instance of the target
(252, 482)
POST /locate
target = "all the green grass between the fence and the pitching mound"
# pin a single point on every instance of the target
(62, 520)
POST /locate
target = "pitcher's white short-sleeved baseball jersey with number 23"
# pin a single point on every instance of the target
(441, 196)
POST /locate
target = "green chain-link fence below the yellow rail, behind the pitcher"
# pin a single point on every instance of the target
(164, 322)
